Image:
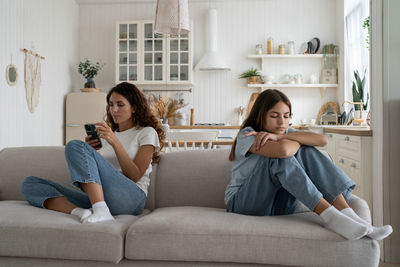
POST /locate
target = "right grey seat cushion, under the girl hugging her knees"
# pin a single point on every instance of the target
(212, 234)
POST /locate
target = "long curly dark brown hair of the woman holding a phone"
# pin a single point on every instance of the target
(143, 117)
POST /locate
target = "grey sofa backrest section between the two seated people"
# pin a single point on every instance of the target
(192, 178)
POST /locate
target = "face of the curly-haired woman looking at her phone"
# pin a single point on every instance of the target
(120, 108)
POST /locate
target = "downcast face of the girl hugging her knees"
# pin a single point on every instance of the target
(277, 118)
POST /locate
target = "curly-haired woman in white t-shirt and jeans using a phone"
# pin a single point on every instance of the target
(114, 178)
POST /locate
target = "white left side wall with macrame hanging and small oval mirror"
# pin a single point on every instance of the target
(52, 27)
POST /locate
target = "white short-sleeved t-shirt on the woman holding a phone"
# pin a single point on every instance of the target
(131, 140)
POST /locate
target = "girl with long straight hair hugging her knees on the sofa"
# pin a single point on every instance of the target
(275, 167)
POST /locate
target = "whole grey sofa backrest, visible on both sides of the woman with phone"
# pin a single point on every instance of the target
(184, 178)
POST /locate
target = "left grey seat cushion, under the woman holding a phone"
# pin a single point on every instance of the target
(27, 231)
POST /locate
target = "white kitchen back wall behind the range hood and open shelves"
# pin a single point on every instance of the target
(241, 25)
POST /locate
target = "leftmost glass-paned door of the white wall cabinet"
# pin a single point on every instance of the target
(127, 52)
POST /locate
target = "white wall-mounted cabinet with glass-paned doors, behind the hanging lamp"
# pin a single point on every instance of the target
(143, 57)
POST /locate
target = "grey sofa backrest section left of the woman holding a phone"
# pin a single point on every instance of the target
(20, 162)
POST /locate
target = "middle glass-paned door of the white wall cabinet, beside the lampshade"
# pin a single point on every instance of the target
(153, 54)
